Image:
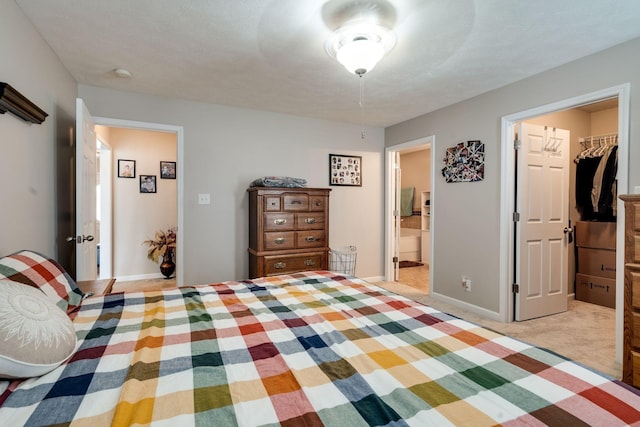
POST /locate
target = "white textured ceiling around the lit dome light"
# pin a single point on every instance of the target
(270, 54)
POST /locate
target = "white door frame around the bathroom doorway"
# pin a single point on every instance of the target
(390, 197)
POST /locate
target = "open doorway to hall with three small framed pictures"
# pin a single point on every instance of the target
(147, 146)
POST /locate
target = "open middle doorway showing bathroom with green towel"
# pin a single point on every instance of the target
(408, 219)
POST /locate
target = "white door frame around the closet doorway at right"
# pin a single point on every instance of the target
(507, 188)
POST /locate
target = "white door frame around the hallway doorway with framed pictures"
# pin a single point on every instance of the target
(179, 132)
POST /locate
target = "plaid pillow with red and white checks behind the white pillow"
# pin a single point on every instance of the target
(39, 271)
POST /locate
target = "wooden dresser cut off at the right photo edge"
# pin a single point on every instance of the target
(631, 333)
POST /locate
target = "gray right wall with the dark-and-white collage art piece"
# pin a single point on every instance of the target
(466, 215)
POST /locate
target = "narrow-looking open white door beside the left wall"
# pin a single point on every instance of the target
(86, 254)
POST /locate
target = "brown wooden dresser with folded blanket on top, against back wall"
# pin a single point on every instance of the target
(288, 230)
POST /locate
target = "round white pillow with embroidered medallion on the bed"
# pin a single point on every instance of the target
(36, 336)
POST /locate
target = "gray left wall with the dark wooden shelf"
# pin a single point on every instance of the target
(28, 151)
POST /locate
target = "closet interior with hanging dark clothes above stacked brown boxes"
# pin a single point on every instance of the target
(591, 265)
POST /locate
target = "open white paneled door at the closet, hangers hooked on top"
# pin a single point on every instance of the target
(542, 233)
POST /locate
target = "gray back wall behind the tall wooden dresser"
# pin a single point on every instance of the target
(226, 148)
